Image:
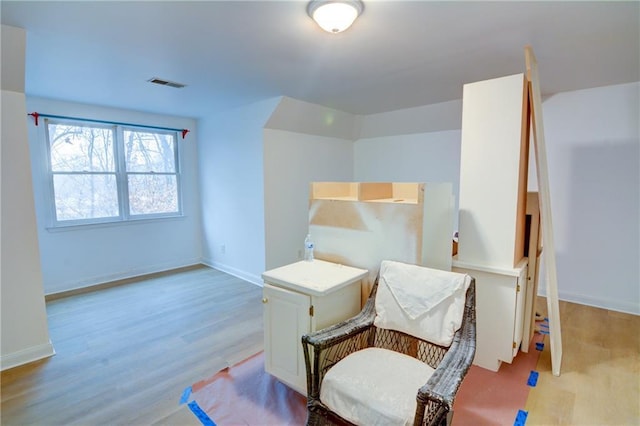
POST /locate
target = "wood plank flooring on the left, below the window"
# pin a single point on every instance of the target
(126, 353)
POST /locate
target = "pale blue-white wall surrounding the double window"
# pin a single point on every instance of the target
(92, 254)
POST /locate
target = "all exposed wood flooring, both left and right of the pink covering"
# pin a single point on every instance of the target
(125, 354)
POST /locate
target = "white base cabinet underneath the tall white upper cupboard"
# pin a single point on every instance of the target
(500, 295)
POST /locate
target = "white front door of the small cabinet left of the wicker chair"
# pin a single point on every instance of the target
(286, 319)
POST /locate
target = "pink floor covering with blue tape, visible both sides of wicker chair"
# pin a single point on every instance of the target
(245, 395)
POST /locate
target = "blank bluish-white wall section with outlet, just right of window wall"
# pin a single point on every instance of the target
(232, 190)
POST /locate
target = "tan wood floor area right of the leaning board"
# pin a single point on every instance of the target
(599, 382)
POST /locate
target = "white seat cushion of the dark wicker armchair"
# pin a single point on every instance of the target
(375, 386)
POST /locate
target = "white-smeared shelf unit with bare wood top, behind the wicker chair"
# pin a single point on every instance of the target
(362, 223)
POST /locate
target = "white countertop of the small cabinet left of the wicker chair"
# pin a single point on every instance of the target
(316, 278)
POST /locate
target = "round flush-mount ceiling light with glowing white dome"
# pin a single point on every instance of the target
(335, 16)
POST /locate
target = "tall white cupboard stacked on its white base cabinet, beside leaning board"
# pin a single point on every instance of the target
(493, 190)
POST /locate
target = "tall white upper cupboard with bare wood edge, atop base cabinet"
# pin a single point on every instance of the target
(493, 172)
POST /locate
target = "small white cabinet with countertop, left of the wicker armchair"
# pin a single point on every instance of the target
(300, 298)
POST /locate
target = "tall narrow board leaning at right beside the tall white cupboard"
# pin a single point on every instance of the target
(545, 210)
